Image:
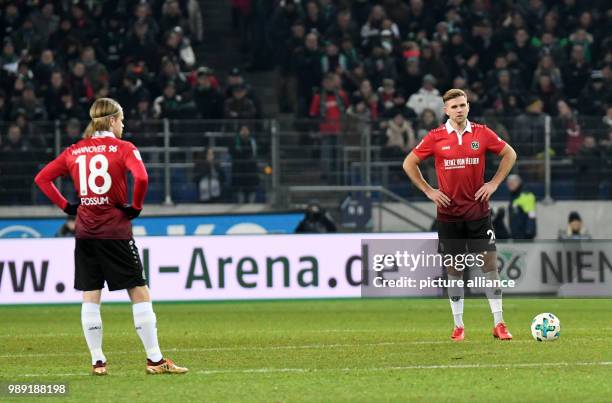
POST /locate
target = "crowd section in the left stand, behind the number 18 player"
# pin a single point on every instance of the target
(58, 56)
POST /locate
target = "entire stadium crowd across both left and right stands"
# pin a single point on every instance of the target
(385, 61)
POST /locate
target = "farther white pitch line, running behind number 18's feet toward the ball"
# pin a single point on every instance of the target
(262, 348)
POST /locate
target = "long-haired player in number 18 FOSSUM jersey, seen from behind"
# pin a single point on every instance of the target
(105, 250)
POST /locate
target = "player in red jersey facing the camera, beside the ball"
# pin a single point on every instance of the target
(463, 220)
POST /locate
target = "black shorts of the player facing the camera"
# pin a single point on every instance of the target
(466, 236)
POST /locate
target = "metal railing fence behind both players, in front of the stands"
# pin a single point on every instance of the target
(209, 161)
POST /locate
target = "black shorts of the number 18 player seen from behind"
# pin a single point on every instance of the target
(115, 261)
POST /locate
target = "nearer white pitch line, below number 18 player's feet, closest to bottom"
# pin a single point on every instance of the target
(371, 369)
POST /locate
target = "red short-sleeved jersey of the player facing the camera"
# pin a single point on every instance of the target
(460, 166)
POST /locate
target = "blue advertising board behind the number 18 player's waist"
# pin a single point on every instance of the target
(265, 223)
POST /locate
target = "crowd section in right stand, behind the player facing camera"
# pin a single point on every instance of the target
(389, 60)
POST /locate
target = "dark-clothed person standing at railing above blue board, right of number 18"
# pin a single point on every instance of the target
(245, 175)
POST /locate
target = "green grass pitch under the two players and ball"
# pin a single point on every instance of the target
(322, 350)
